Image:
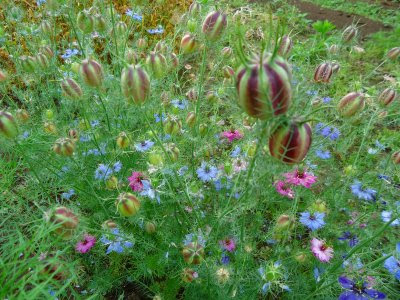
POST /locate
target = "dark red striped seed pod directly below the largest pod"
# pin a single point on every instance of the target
(290, 143)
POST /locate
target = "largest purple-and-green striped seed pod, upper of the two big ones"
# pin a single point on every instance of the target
(264, 91)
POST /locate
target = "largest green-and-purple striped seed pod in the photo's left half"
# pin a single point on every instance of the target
(135, 84)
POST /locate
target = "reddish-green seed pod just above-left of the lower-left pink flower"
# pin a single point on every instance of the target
(66, 220)
